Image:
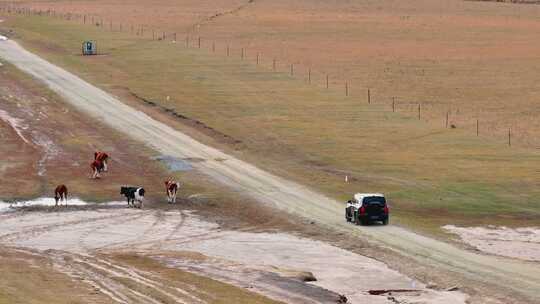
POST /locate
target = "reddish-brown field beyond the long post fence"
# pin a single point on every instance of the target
(475, 60)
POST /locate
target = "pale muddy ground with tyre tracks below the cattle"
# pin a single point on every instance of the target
(84, 242)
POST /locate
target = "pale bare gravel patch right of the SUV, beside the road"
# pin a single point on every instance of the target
(519, 243)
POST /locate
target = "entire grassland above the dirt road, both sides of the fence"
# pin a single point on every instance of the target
(446, 54)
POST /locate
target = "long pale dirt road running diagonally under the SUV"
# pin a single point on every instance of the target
(523, 278)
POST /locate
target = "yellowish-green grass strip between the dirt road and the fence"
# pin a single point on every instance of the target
(431, 175)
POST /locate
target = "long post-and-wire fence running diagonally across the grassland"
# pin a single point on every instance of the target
(448, 115)
